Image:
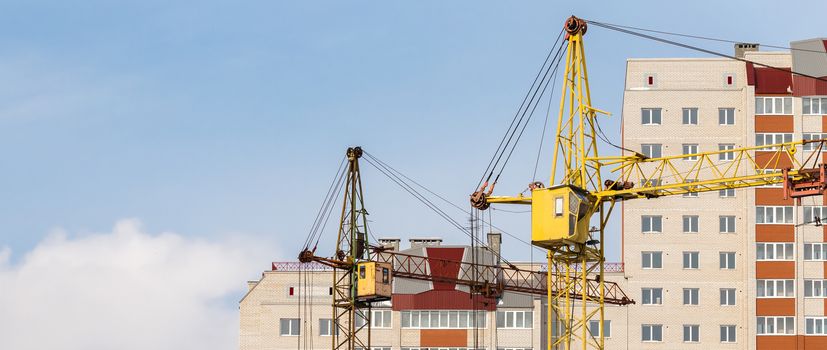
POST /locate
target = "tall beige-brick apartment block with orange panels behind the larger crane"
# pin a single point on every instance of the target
(735, 269)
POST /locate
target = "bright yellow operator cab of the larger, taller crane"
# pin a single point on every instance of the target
(560, 215)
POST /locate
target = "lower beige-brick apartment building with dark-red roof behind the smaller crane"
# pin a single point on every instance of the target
(290, 308)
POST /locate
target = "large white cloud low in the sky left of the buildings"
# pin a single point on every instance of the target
(127, 290)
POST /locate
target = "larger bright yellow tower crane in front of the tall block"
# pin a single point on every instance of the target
(562, 214)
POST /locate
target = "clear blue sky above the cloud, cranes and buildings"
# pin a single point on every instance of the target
(217, 118)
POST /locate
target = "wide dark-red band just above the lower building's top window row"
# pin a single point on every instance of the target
(442, 300)
